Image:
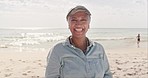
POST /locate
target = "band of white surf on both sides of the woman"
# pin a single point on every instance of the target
(21, 39)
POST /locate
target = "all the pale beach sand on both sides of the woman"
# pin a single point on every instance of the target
(124, 63)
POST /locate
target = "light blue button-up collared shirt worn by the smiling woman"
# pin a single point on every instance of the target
(66, 61)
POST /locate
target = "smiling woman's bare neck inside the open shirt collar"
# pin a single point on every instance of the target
(80, 43)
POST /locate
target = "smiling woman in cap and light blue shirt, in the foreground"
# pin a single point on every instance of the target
(77, 56)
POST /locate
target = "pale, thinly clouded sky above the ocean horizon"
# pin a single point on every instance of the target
(52, 13)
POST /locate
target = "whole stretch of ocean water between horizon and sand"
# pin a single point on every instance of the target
(42, 39)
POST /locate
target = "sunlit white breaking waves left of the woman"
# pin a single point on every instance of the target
(31, 38)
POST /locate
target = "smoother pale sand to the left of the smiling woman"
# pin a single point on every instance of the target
(22, 64)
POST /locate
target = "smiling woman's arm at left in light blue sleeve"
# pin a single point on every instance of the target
(53, 65)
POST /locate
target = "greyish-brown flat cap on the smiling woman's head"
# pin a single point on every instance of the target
(77, 9)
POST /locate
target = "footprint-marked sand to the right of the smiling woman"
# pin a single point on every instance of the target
(128, 62)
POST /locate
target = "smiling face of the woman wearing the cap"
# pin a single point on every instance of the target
(79, 24)
